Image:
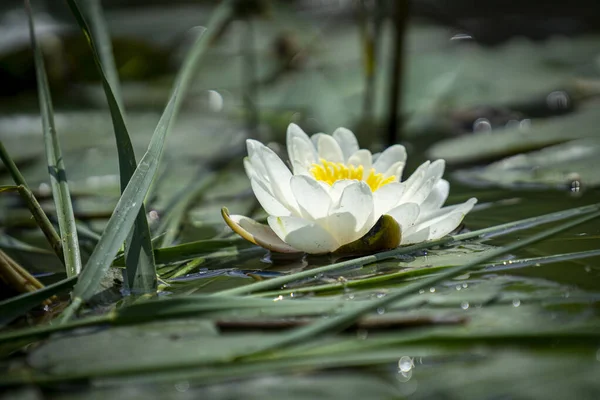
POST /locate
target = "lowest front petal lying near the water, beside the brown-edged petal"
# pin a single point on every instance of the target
(303, 235)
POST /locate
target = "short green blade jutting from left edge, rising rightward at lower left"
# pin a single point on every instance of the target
(19, 305)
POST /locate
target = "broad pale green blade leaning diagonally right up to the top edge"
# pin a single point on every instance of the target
(133, 196)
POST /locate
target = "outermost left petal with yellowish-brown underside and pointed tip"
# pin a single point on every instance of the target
(256, 233)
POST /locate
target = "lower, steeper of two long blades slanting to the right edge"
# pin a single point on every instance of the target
(335, 324)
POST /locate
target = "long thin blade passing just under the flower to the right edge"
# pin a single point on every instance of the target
(385, 255)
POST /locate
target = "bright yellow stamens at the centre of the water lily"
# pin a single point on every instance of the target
(330, 172)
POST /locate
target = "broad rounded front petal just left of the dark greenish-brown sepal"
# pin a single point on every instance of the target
(351, 217)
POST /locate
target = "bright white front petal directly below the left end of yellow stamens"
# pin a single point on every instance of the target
(313, 200)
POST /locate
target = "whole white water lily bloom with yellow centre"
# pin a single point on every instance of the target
(336, 192)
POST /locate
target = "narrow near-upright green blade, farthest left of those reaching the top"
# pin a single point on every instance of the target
(56, 167)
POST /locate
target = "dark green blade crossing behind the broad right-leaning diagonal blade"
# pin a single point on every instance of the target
(139, 257)
